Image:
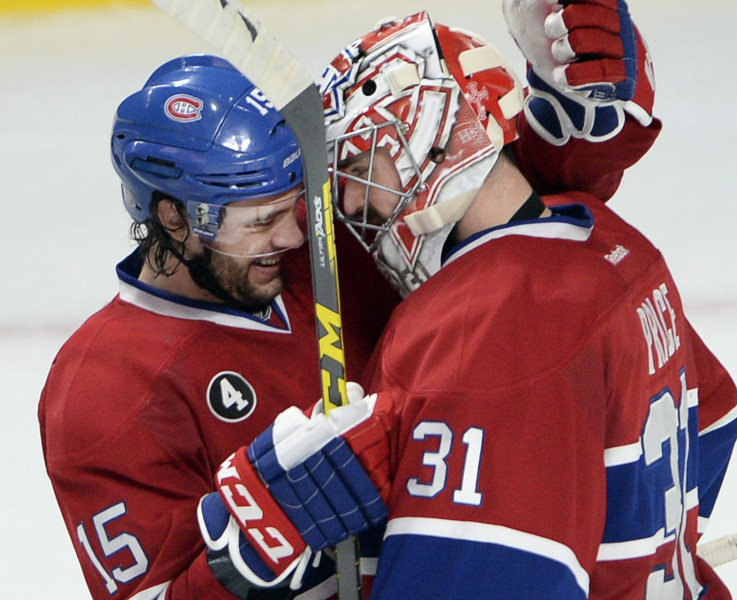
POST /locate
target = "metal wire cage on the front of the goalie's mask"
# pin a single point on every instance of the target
(368, 234)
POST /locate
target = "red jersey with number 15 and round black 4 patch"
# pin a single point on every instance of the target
(150, 395)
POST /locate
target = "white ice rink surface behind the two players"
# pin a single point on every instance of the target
(61, 78)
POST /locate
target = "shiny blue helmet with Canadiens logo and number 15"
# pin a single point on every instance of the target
(200, 132)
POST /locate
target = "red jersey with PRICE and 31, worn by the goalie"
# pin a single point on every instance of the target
(562, 427)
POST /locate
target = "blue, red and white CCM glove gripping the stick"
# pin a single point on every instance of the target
(298, 488)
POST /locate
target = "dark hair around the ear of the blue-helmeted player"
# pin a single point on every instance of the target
(154, 240)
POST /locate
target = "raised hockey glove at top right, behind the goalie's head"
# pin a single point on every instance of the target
(588, 66)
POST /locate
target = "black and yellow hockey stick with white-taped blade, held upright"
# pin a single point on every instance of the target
(241, 39)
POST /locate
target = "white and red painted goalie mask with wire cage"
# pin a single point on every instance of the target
(441, 103)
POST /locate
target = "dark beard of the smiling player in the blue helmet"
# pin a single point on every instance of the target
(231, 281)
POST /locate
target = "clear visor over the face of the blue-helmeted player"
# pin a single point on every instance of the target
(250, 238)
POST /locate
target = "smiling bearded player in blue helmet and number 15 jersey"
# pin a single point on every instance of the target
(187, 364)
